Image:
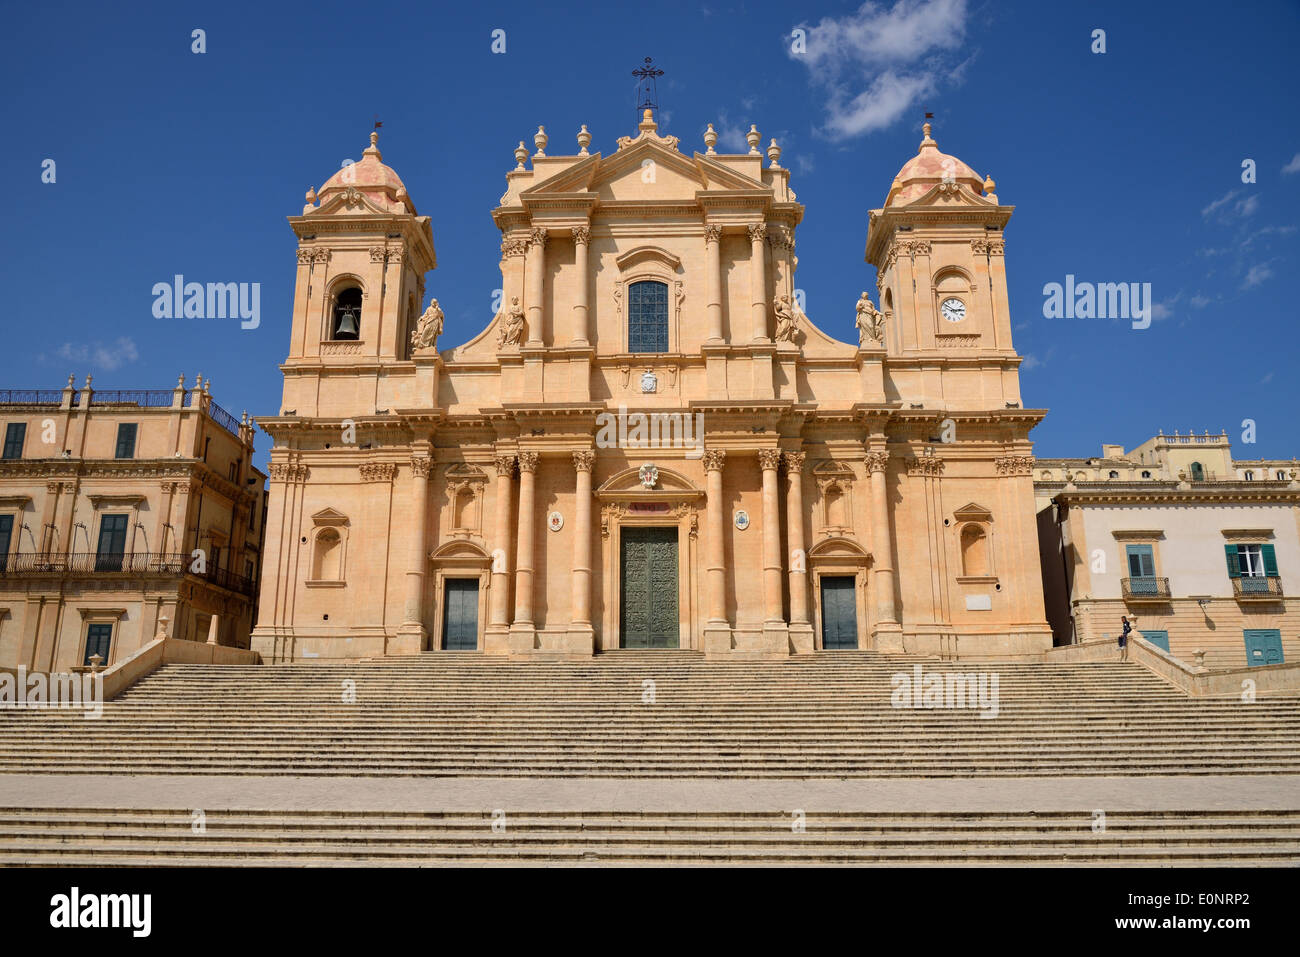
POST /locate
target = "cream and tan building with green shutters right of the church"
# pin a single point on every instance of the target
(1202, 549)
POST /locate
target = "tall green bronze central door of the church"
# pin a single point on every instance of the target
(649, 603)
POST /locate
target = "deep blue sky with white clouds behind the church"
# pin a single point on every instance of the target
(1125, 167)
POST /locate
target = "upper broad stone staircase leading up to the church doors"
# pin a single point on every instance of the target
(826, 716)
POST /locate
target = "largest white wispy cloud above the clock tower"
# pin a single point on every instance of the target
(878, 63)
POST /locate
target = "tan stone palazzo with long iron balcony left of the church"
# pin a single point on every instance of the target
(124, 516)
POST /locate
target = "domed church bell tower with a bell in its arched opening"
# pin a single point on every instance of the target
(362, 257)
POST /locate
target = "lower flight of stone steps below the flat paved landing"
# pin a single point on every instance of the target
(166, 838)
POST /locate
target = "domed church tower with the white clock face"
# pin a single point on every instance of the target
(939, 254)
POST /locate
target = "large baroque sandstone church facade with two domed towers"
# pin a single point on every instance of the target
(652, 444)
